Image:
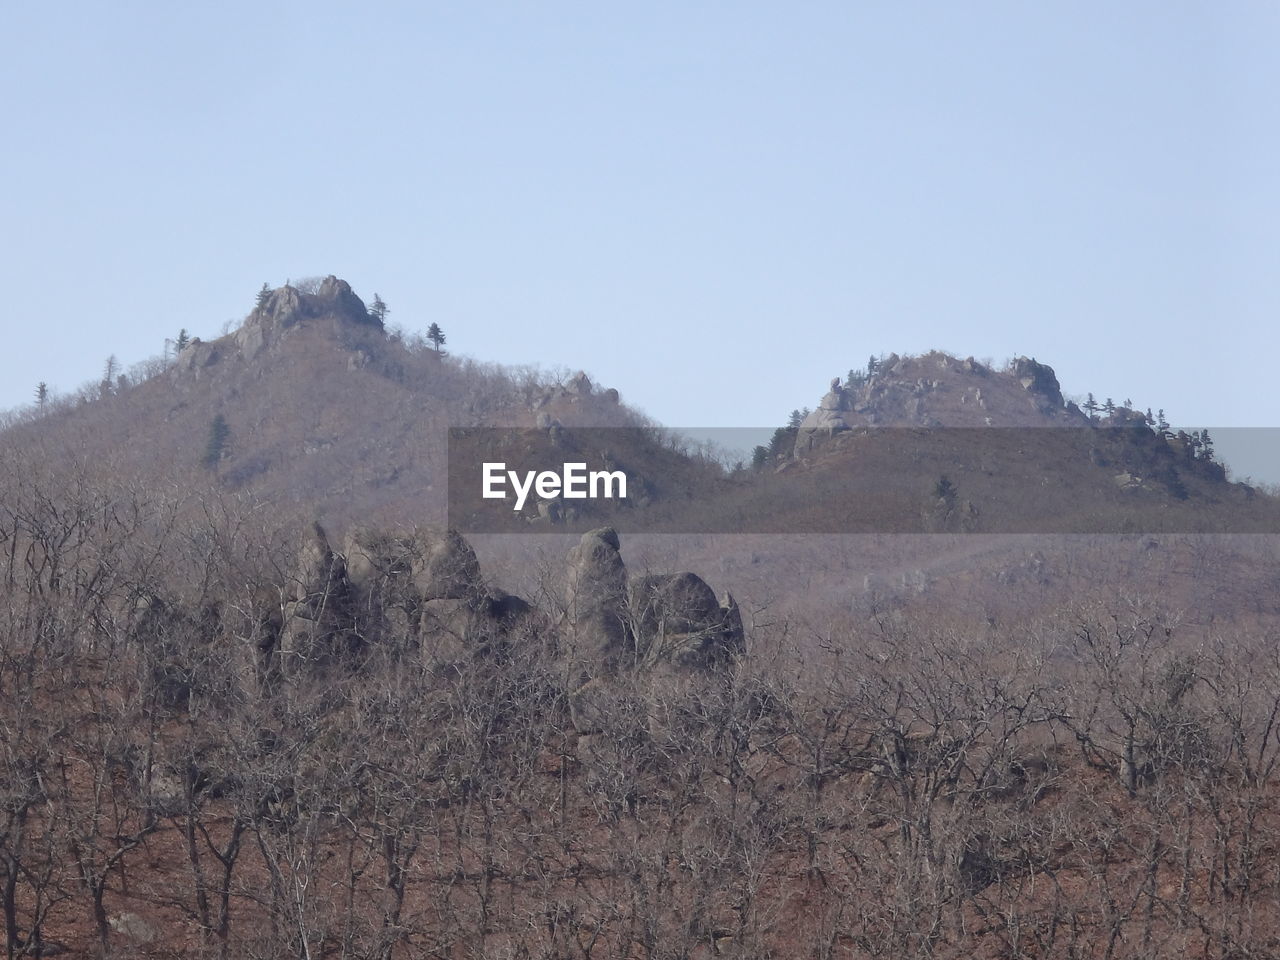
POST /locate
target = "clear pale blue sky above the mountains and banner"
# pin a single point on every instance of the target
(714, 207)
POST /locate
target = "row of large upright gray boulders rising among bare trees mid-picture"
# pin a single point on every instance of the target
(424, 592)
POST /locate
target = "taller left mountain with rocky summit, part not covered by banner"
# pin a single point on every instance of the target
(326, 413)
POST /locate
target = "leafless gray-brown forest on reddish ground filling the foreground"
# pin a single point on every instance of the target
(213, 747)
